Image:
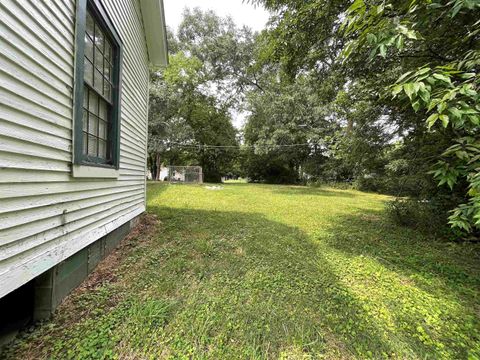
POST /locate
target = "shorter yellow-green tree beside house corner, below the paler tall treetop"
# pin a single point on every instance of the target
(183, 120)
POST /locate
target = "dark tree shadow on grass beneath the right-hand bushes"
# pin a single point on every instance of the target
(407, 251)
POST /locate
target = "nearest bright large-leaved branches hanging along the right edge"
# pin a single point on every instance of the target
(443, 90)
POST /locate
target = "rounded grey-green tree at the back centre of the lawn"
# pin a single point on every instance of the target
(285, 128)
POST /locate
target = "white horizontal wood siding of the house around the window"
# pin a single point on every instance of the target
(46, 215)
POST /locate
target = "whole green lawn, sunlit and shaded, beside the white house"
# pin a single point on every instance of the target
(258, 271)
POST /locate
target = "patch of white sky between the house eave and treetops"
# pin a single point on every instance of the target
(241, 12)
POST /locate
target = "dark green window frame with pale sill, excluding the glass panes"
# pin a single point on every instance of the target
(79, 158)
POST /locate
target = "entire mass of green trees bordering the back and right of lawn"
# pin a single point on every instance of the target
(381, 94)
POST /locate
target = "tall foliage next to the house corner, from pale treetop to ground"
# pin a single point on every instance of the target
(185, 111)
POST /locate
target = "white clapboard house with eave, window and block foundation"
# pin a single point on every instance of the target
(73, 134)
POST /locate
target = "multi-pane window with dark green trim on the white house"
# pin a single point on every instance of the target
(97, 88)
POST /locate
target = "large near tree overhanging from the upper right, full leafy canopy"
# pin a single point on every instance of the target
(425, 54)
